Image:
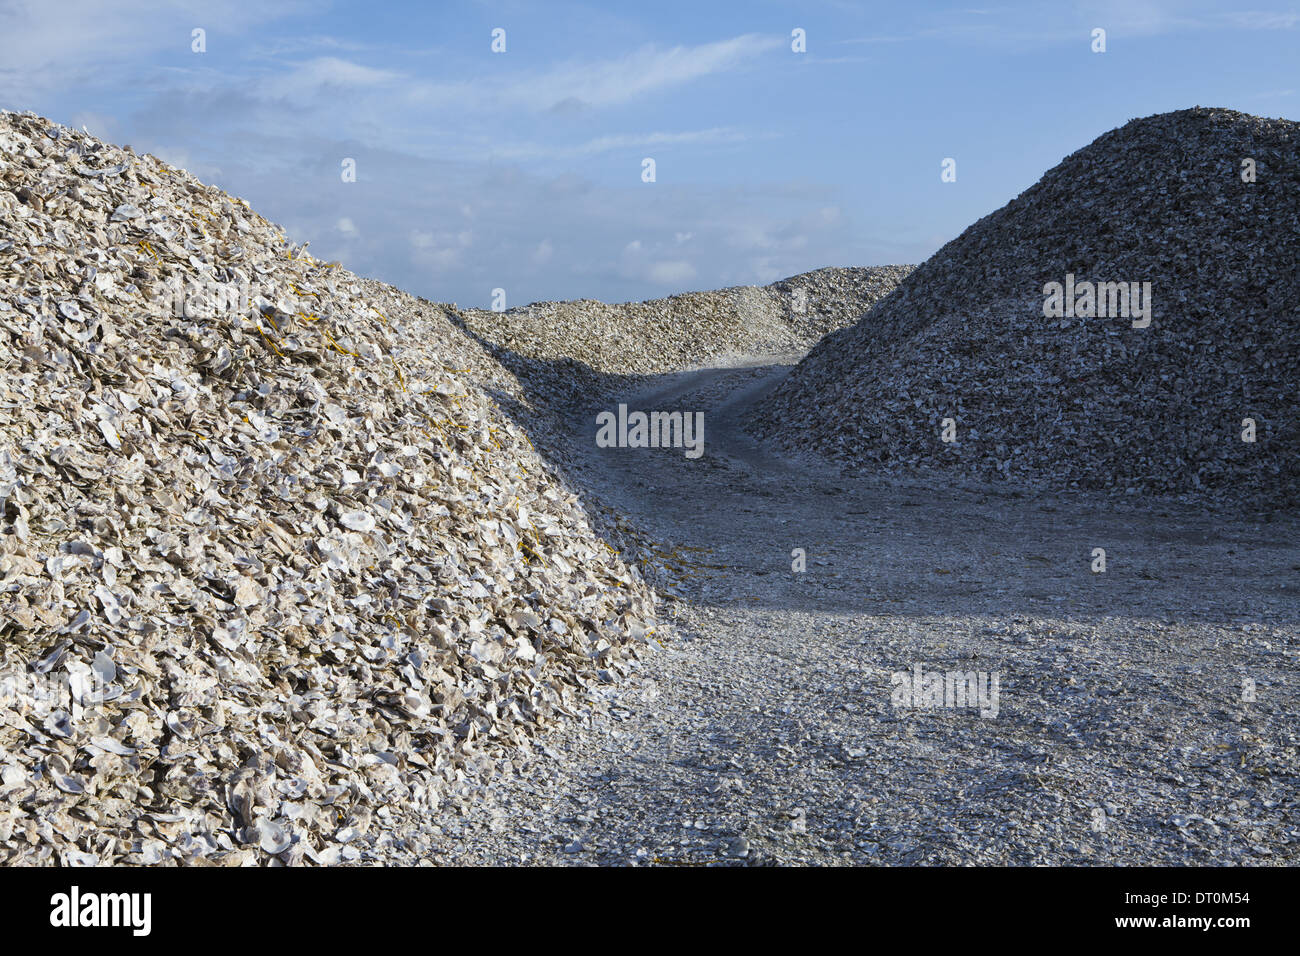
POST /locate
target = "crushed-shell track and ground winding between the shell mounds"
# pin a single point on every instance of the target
(764, 732)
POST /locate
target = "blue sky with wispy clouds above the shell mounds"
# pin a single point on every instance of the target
(525, 170)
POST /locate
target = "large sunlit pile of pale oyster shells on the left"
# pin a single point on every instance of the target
(272, 561)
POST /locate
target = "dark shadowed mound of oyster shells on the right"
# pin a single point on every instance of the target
(1090, 403)
